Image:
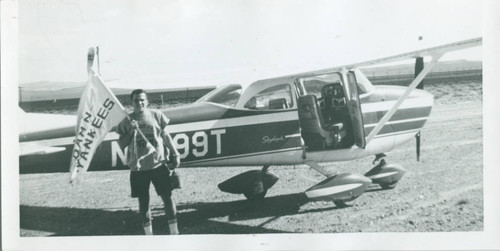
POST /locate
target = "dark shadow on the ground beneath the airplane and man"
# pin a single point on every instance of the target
(195, 218)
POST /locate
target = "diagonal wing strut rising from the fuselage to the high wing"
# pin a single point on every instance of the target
(411, 87)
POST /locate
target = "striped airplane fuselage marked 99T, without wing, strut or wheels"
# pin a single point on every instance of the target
(212, 134)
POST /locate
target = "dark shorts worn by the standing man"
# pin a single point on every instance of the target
(160, 177)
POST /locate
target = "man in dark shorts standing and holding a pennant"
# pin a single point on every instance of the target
(144, 133)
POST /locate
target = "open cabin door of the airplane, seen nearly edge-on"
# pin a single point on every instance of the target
(354, 107)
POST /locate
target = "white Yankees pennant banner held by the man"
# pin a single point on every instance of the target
(98, 111)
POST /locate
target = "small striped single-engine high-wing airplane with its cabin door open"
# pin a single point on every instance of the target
(328, 115)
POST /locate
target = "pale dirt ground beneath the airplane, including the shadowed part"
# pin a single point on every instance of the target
(442, 192)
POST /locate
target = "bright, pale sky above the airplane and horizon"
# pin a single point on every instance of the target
(168, 44)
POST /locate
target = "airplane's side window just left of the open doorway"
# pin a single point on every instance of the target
(273, 98)
